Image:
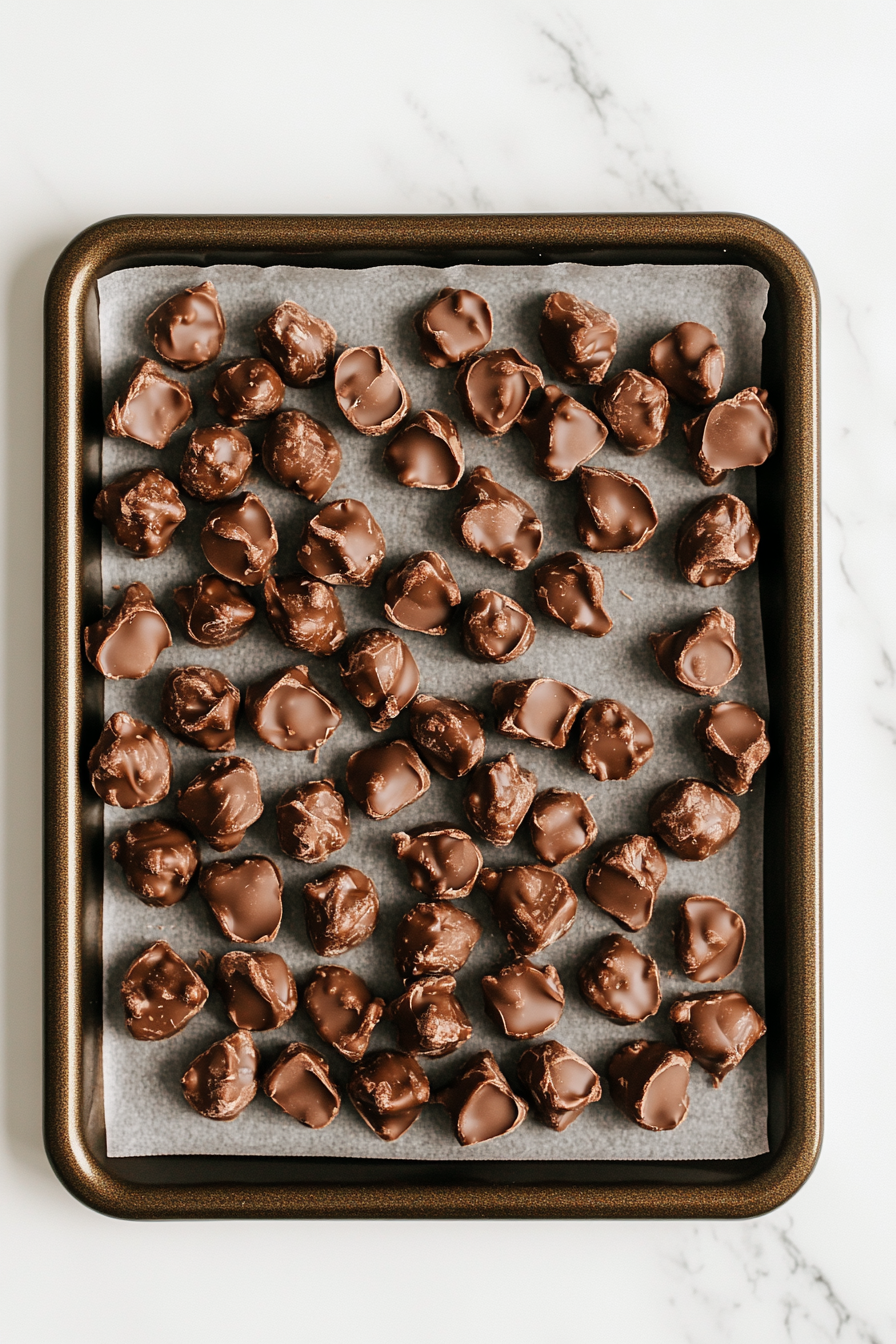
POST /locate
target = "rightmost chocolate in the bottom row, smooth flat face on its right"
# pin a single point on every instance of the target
(649, 1084)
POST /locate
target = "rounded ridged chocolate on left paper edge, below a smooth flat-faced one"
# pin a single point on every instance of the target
(131, 765)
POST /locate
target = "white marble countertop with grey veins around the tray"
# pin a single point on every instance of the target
(785, 112)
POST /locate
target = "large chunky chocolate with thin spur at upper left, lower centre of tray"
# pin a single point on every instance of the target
(533, 905)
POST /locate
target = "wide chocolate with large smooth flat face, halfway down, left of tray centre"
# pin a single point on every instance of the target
(291, 713)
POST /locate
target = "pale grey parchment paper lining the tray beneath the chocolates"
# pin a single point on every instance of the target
(144, 1108)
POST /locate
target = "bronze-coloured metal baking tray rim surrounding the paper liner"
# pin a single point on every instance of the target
(789, 493)
